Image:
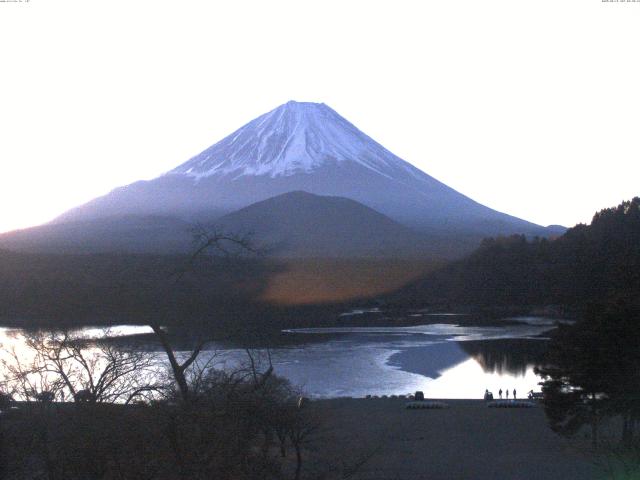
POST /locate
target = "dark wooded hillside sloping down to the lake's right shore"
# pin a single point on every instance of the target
(596, 262)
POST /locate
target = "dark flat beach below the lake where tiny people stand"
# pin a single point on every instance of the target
(466, 441)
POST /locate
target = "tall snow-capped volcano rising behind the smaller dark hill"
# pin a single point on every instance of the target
(296, 147)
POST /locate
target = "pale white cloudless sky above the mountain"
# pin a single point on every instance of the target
(529, 107)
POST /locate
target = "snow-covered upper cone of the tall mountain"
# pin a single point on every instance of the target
(296, 137)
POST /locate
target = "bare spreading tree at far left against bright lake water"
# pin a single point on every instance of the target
(68, 366)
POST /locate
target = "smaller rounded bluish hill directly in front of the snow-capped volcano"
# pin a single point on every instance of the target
(301, 224)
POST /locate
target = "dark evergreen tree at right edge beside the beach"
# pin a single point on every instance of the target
(592, 370)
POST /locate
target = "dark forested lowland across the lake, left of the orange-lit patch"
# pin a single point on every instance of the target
(226, 296)
